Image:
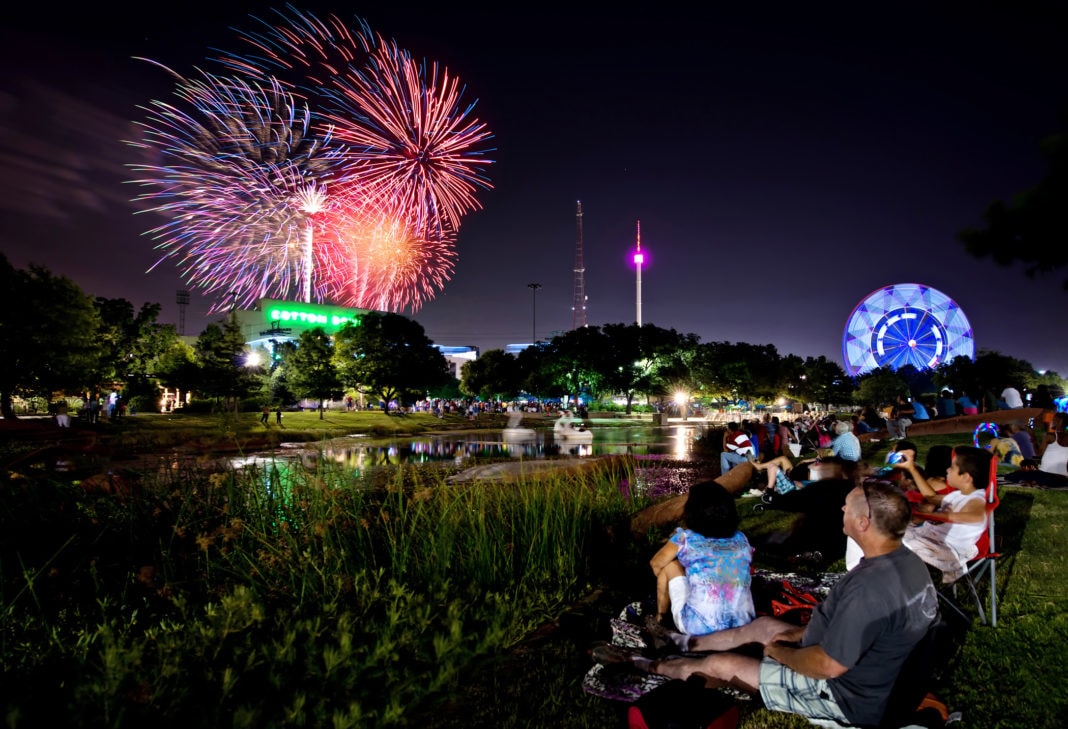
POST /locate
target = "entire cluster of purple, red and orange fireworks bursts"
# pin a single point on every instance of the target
(326, 163)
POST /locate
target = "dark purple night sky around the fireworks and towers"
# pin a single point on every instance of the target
(784, 164)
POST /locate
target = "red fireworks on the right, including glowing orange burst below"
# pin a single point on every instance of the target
(414, 151)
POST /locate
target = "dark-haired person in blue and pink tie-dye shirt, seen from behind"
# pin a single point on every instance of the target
(703, 572)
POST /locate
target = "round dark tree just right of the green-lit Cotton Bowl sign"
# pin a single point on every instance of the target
(390, 357)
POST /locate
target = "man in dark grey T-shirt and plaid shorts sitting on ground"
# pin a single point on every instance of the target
(843, 665)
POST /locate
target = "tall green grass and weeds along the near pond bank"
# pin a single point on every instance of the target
(280, 597)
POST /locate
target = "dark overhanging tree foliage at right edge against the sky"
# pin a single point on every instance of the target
(1033, 228)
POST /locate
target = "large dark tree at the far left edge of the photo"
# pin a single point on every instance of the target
(49, 335)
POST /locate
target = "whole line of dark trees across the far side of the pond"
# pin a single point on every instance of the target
(56, 339)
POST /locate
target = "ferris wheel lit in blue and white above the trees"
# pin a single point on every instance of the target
(906, 324)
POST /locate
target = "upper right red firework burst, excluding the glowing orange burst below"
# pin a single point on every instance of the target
(404, 122)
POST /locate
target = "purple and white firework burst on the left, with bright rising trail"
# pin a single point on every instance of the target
(242, 180)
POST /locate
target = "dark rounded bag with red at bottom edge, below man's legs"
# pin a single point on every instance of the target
(684, 705)
